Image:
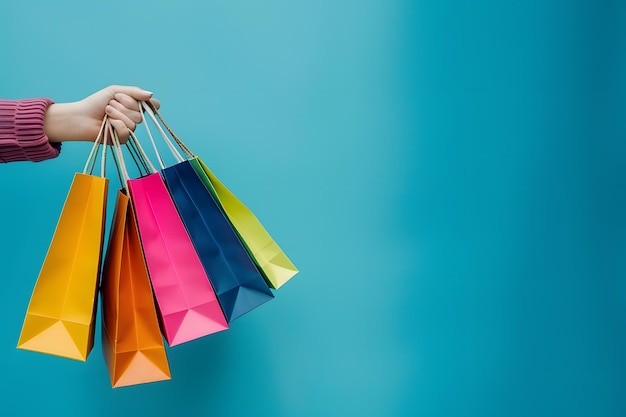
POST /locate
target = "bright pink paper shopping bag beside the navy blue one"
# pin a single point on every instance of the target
(186, 300)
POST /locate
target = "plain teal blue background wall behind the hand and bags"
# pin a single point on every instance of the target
(449, 176)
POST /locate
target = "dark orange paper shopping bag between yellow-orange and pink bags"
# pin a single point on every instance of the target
(131, 338)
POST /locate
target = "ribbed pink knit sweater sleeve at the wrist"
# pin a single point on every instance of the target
(22, 137)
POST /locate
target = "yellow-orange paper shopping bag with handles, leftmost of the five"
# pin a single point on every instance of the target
(60, 316)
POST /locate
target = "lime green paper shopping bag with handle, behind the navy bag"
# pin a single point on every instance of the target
(276, 267)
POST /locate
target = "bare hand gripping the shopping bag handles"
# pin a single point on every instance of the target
(81, 120)
